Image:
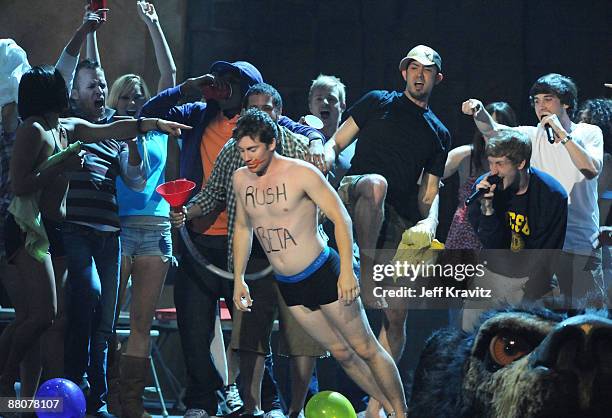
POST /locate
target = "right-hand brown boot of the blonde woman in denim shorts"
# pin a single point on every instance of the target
(134, 372)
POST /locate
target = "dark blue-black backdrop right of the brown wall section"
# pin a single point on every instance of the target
(491, 49)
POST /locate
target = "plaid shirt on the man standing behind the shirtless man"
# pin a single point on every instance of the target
(219, 189)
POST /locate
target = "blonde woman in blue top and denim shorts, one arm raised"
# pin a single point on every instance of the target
(146, 243)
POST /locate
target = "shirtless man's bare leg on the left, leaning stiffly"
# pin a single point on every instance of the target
(317, 324)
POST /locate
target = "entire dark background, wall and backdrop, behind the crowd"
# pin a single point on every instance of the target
(491, 49)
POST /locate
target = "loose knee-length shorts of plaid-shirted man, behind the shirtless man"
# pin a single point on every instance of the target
(251, 331)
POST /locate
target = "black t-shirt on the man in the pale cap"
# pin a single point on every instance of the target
(398, 140)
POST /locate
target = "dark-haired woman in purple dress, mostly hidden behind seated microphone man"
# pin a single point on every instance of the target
(470, 161)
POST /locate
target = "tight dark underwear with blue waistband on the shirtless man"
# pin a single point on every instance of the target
(319, 288)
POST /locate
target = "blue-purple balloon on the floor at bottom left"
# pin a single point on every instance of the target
(73, 400)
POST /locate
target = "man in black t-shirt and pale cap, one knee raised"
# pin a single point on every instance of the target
(400, 141)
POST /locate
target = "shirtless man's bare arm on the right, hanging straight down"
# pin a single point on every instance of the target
(323, 195)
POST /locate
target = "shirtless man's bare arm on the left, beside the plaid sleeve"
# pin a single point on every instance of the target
(243, 235)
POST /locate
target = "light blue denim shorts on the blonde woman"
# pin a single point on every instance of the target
(143, 237)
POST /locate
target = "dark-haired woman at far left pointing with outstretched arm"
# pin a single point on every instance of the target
(42, 98)
